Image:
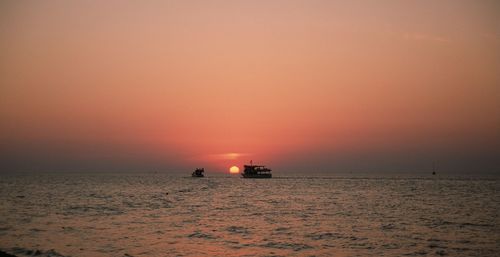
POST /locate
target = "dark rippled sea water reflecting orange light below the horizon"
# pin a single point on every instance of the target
(154, 214)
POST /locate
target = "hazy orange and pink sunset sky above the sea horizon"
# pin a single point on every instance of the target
(303, 86)
